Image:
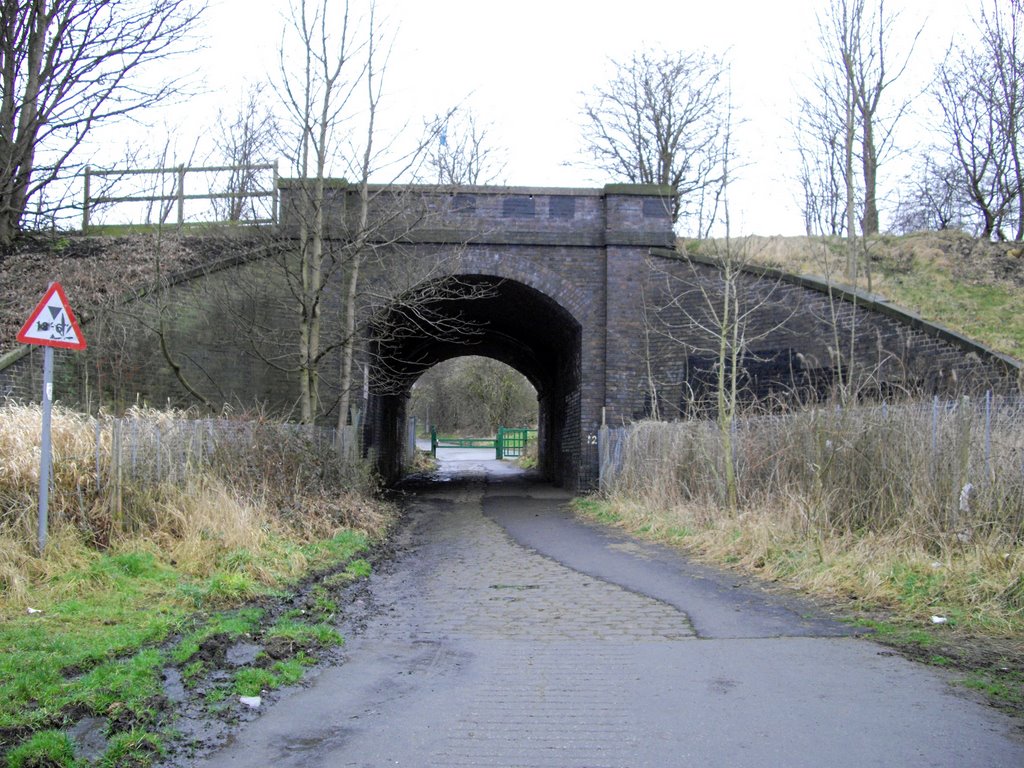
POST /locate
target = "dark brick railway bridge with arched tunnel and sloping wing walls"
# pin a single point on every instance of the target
(580, 290)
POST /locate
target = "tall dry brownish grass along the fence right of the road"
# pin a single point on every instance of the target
(921, 504)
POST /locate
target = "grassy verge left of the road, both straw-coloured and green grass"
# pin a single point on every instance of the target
(142, 576)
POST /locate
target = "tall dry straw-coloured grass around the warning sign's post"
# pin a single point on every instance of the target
(274, 485)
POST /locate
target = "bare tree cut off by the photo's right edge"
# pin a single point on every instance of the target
(980, 93)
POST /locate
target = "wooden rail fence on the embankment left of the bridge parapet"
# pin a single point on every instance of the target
(179, 195)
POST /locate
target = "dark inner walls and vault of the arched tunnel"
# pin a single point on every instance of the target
(489, 317)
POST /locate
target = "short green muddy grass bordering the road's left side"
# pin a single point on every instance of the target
(120, 621)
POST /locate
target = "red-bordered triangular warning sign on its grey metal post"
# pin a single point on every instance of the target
(52, 325)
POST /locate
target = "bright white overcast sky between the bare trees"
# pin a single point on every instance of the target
(523, 66)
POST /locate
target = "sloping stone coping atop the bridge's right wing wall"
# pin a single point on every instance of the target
(871, 302)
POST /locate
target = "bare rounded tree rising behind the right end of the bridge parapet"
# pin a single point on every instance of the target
(661, 120)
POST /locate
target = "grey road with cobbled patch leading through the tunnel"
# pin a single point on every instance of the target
(506, 633)
